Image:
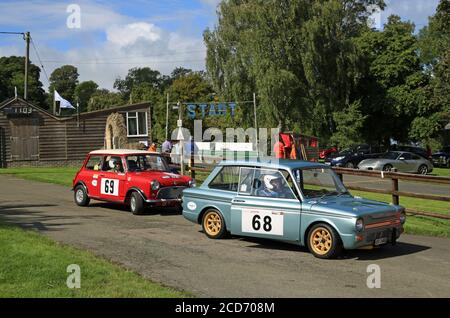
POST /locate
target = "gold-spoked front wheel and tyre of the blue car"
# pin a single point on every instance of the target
(324, 242)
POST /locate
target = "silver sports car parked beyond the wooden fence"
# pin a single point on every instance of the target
(399, 160)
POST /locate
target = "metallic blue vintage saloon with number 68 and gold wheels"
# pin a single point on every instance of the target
(295, 201)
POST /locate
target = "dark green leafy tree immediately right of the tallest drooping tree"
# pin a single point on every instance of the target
(391, 90)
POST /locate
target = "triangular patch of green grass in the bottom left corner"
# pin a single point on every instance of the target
(32, 265)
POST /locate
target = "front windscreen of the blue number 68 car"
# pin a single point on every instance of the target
(318, 182)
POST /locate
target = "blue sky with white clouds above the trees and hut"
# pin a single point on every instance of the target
(111, 37)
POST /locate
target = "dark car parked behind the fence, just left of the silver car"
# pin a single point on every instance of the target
(351, 157)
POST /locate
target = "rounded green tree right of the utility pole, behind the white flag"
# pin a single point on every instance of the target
(64, 80)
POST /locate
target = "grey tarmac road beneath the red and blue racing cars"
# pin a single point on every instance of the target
(164, 247)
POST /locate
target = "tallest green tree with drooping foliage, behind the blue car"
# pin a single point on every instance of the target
(298, 57)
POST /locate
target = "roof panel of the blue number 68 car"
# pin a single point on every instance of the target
(274, 163)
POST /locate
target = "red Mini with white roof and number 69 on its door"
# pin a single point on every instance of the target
(133, 177)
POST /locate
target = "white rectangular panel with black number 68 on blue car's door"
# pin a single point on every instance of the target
(262, 221)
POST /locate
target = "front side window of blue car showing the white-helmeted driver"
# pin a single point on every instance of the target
(271, 183)
